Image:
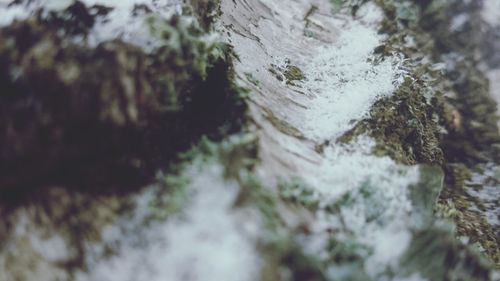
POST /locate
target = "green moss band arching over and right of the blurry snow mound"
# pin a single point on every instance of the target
(283, 257)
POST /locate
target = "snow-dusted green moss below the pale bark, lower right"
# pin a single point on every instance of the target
(366, 232)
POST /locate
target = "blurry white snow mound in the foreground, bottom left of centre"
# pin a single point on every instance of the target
(208, 240)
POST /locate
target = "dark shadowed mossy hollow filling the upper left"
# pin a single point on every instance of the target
(113, 109)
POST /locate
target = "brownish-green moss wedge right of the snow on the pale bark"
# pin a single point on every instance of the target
(404, 125)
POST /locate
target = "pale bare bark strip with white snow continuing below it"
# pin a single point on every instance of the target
(342, 80)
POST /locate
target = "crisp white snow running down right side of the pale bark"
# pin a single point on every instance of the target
(344, 80)
